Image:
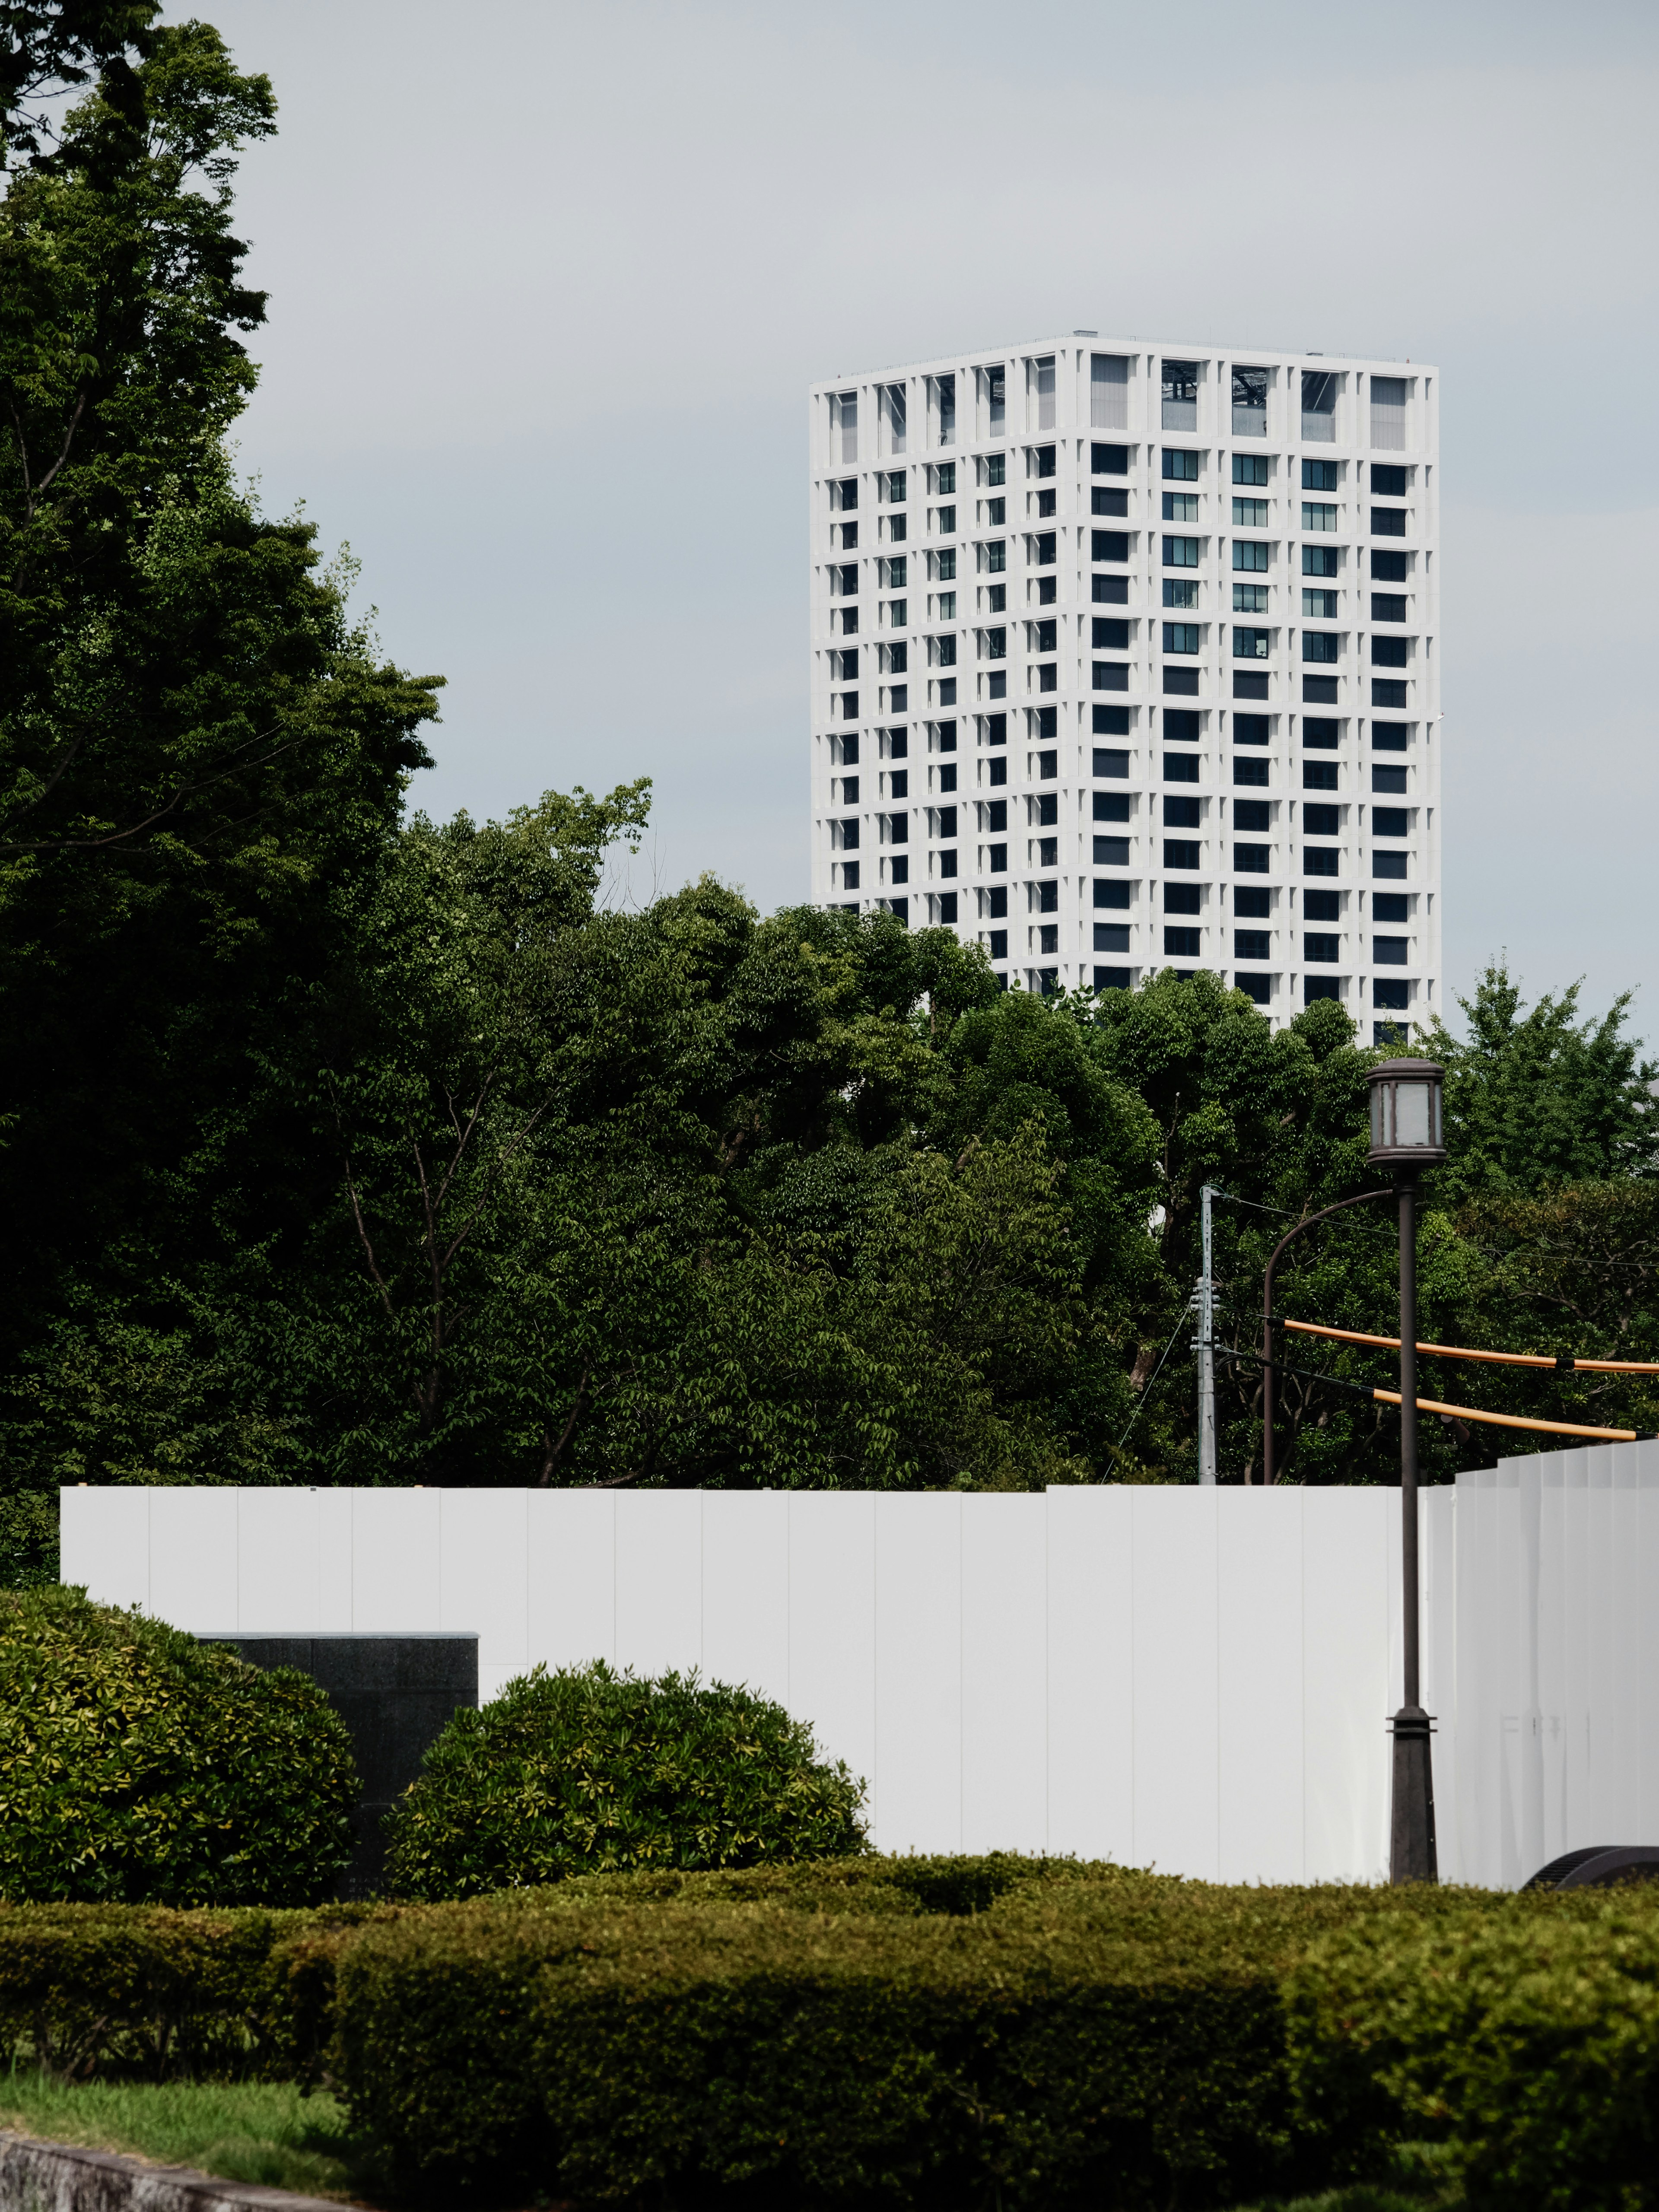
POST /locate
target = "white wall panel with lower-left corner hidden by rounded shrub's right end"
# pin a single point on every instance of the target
(833, 1627)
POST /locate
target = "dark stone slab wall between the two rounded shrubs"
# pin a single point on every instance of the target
(395, 1695)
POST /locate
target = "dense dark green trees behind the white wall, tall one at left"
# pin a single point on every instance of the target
(348, 1147)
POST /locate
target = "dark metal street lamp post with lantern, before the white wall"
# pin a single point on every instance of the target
(1408, 1138)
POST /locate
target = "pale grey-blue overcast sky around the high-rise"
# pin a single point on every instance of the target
(547, 286)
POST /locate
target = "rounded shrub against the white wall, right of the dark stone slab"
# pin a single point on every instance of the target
(589, 1773)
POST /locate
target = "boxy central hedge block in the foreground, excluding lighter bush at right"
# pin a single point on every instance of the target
(846, 2036)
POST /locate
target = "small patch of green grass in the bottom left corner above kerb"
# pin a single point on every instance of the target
(240, 2131)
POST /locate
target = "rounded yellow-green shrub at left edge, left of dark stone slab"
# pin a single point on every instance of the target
(145, 1768)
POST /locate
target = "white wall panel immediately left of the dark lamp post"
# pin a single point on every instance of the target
(1346, 1682)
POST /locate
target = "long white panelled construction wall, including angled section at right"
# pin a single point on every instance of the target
(1178, 1678)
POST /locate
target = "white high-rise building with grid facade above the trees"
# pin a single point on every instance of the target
(1127, 658)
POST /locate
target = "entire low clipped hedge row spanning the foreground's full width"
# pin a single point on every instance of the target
(910, 2034)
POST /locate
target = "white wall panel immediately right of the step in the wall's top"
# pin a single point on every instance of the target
(1092, 1673)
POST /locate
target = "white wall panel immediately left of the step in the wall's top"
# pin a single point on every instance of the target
(1005, 1673)
